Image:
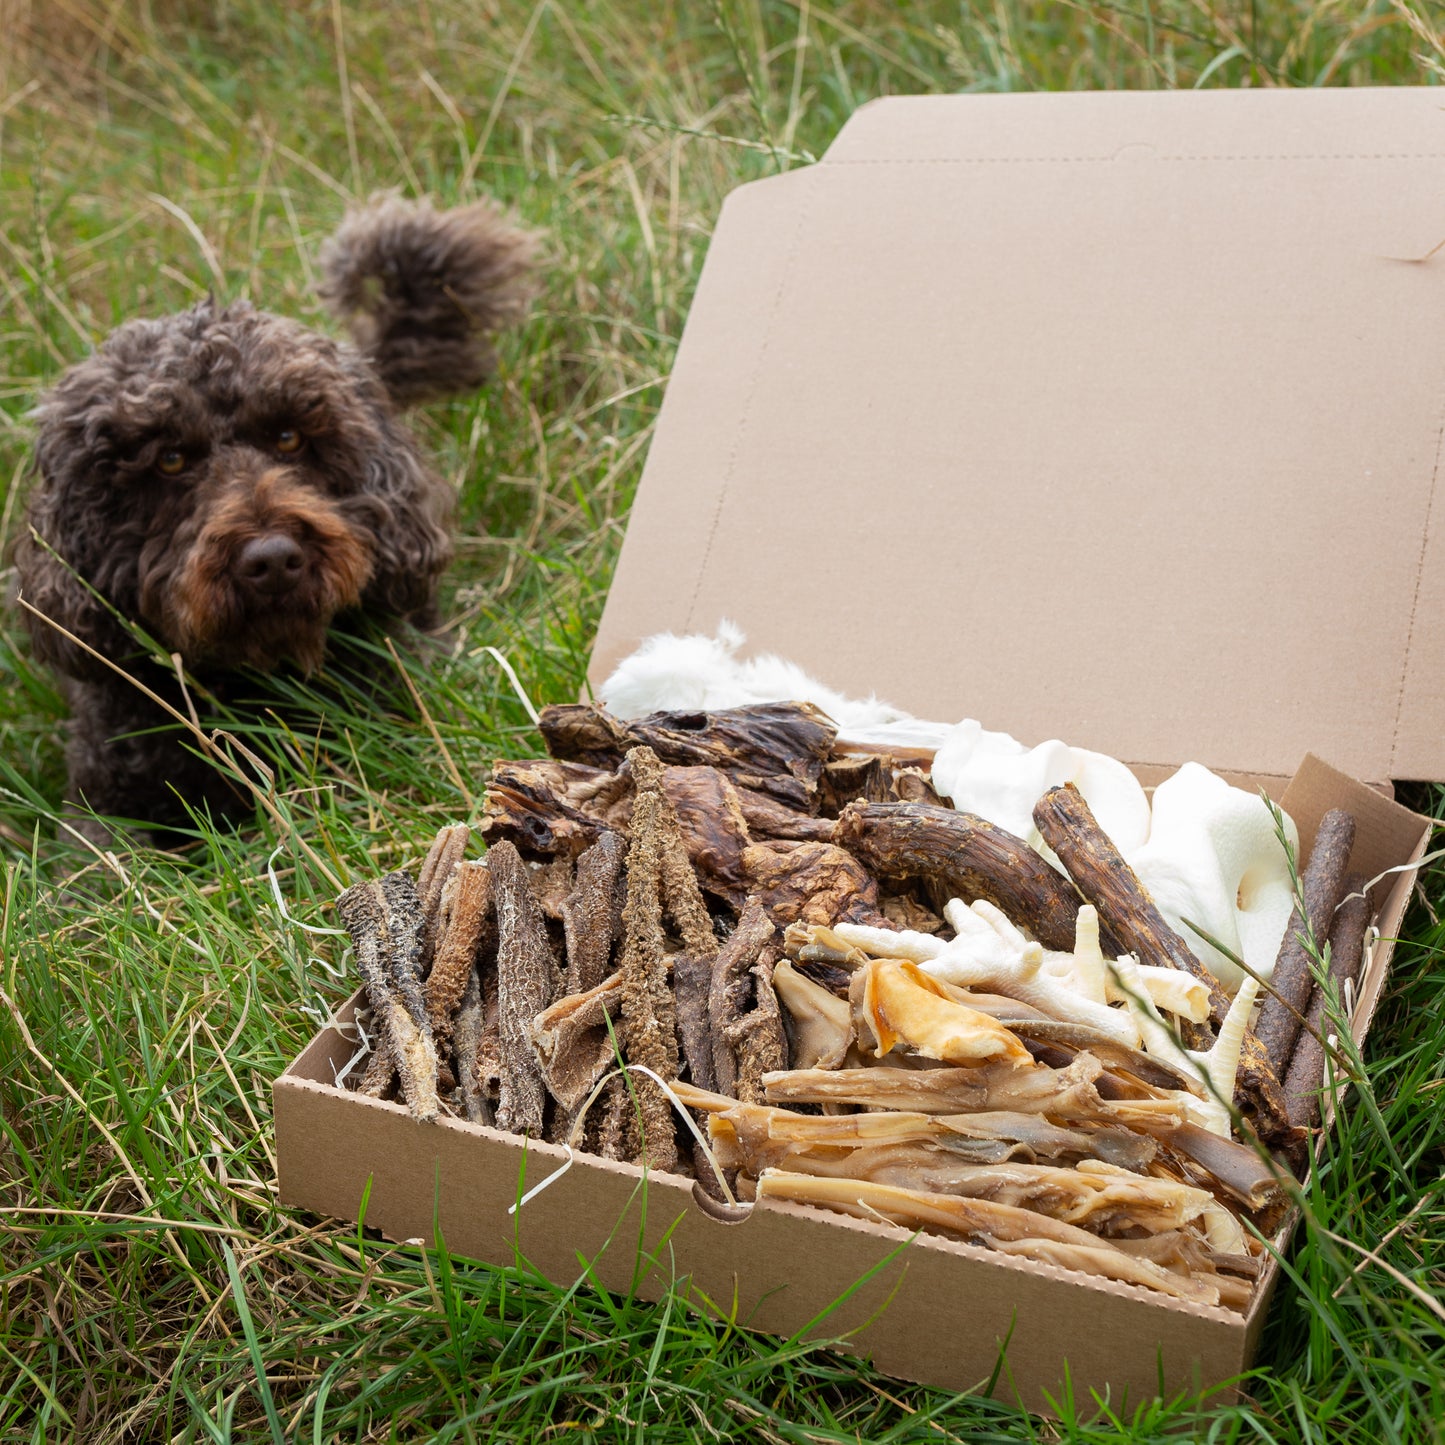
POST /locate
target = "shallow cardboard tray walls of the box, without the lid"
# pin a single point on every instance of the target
(927, 1310)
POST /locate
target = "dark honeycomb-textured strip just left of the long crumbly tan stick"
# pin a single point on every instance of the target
(527, 985)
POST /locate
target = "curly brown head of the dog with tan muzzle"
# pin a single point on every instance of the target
(230, 480)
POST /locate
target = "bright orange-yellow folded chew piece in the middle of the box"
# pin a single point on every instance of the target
(897, 1004)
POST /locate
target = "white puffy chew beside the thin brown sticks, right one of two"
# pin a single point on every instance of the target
(1213, 858)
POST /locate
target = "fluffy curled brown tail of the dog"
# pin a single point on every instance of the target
(423, 291)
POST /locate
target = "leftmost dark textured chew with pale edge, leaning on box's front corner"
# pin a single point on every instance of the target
(385, 921)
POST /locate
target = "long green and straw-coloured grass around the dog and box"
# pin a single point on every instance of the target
(152, 152)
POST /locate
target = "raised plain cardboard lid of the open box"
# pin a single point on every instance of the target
(1110, 415)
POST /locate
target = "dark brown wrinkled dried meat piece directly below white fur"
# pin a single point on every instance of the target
(774, 748)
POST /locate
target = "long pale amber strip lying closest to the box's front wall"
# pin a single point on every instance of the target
(982, 1222)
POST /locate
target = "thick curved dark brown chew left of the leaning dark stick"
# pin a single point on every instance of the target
(962, 856)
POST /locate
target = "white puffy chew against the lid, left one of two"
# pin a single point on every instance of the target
(999, 780)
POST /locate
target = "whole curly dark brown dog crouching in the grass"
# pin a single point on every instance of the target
(233, 482)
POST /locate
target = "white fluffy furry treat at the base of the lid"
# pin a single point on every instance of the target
(704, 674)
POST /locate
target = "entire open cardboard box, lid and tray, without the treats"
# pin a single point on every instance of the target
(1110, 417)
